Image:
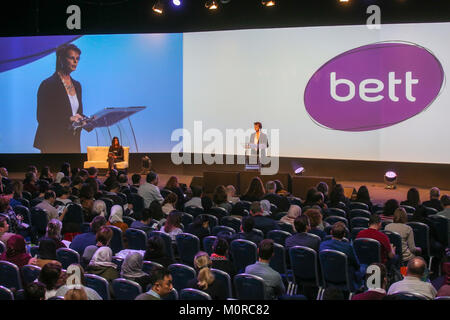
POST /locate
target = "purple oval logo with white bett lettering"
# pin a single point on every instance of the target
(373, 86)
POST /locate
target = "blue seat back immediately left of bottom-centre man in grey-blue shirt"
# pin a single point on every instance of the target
(249, 287)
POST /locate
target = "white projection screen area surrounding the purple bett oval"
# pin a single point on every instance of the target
(233, 78)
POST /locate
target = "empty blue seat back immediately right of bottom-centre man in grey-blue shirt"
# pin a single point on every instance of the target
(304, 264)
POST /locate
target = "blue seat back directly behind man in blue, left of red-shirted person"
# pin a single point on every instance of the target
(334, 269)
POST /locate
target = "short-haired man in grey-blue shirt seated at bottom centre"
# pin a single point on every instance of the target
(272, 279)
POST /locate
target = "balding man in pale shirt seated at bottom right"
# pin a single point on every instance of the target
(415, 280)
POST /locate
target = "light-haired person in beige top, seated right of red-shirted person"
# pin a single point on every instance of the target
(399, 225)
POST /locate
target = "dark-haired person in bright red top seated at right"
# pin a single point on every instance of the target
(387, 250)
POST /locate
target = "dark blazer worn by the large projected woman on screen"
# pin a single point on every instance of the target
(54, 133)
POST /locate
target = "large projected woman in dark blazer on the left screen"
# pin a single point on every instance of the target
(59, 105)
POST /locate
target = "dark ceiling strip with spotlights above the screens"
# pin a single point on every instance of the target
(43, 17)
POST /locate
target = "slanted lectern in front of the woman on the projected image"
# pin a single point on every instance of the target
(107, 123)
